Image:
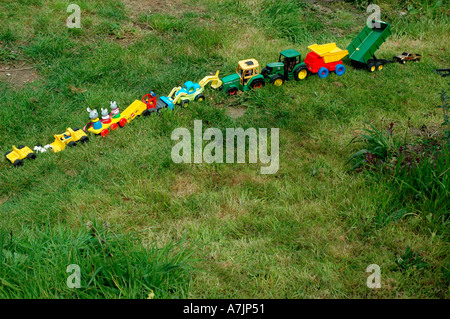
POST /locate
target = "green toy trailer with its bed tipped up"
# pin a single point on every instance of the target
(362, 49)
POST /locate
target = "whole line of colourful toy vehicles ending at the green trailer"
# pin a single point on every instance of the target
(321, 60)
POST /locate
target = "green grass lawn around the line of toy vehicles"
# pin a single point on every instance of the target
(137, 222)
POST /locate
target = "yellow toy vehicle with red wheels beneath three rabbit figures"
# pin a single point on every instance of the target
(103, 127)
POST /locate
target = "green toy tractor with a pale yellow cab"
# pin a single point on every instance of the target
(247, 77)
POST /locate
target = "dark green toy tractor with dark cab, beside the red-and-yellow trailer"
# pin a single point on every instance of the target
(287, 68)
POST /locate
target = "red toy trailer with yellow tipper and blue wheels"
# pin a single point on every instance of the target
(324, 59)
